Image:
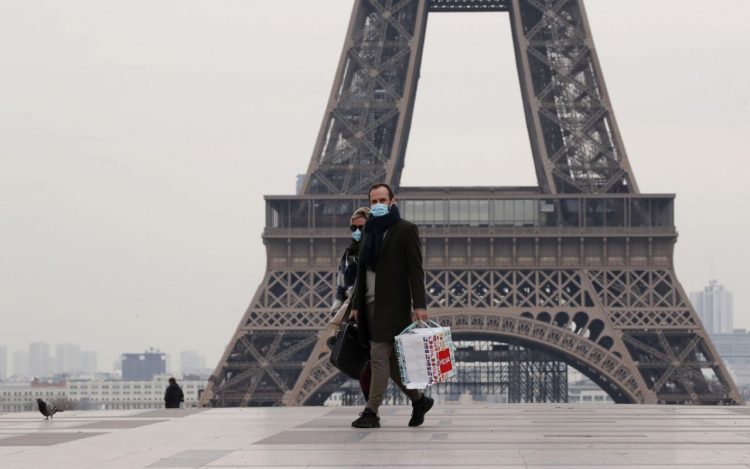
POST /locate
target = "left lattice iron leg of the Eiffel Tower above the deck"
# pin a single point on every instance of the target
(365, 127)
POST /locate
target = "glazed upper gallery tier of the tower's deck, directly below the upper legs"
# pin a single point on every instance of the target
(485, 212)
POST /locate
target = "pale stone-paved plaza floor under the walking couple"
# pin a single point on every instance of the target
(460, 436)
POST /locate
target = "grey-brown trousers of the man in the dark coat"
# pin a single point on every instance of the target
(384, 365)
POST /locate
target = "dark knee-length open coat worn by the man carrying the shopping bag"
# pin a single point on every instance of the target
(399, 284)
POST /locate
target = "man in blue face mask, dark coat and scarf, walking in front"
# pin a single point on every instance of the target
(390, 281)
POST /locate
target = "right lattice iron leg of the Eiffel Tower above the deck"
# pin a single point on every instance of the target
(574, 137)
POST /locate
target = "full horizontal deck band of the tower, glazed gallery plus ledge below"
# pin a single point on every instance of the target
(483, 229)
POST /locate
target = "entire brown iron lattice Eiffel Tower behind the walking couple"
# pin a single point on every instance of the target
(579, 268)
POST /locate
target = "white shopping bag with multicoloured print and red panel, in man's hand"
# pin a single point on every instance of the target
(425, 355)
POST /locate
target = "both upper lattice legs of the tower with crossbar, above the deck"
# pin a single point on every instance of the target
(574, 137)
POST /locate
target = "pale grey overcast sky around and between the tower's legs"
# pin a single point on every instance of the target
(138, 137)
